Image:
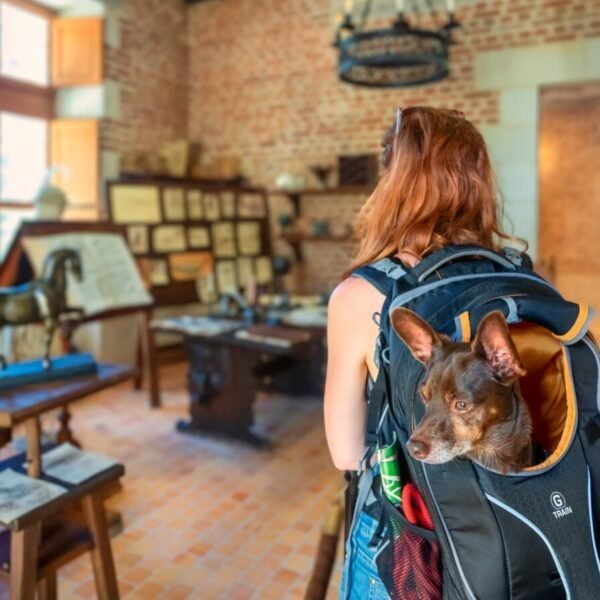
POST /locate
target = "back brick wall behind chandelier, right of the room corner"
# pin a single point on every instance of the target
(263, 85)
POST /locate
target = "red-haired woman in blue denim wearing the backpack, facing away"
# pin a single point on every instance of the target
(437, 189)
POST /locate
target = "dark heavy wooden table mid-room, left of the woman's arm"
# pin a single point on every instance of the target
(225, 373)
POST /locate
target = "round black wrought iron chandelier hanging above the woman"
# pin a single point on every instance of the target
(403, 54)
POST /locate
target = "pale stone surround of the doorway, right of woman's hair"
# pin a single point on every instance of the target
(518, 73)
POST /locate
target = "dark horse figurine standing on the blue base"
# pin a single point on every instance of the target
(42, 299)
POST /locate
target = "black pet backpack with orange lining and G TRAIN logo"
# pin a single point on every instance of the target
(533, 535)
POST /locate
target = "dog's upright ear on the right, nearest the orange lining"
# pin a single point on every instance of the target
(493, 343)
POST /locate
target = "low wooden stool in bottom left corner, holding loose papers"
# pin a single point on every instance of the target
(36, 544)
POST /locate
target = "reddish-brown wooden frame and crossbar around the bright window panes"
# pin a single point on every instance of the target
(29, 99)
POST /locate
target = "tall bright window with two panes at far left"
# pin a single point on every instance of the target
(26, 105)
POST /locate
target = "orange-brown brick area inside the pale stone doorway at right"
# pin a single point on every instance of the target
(570, 188)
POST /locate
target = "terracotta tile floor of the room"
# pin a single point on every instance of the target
(205, 517)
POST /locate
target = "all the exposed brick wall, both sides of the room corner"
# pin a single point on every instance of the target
(257, 78)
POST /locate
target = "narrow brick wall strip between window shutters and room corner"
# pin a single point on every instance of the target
(151, 67)
